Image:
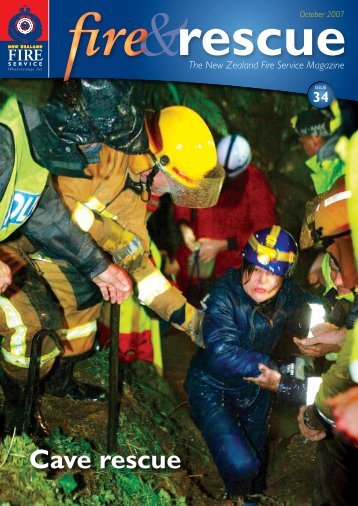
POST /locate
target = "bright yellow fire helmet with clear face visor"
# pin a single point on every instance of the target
(183, 148)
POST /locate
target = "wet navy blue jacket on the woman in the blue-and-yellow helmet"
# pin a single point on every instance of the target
(238, 334)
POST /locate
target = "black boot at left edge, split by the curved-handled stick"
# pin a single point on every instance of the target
(12, 417)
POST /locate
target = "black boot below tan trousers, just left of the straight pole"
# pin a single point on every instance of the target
(60, 382)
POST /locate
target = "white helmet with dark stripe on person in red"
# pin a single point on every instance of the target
(234, 154)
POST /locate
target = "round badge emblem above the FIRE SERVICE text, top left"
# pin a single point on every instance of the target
(25, 27)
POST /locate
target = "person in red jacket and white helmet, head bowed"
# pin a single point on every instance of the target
(246, 204)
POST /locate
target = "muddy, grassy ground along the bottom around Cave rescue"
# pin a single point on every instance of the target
(154, 420)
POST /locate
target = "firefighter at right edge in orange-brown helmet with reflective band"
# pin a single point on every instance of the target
(334, 481)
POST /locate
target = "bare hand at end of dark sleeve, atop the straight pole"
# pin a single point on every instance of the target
(114, 283)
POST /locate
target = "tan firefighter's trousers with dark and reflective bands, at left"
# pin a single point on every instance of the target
(44, 294)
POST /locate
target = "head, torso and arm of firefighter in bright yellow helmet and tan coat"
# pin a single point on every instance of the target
(111, 204)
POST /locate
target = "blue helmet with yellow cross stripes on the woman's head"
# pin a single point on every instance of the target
(273, 249)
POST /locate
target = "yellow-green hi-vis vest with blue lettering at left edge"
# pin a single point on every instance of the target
(27, 179)
